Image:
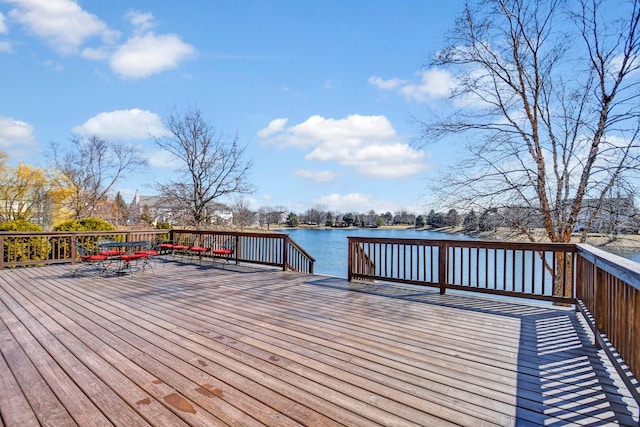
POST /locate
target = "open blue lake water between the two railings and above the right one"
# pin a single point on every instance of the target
(329, 246)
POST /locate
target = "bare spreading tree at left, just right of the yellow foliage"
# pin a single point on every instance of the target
(90, 168)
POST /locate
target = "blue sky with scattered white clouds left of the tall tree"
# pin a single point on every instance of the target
(321, 92)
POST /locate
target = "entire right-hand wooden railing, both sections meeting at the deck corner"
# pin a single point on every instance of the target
(605, 287)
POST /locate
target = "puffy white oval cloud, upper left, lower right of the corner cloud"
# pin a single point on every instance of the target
(145, 55)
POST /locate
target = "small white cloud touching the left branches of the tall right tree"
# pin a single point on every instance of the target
(434, 84)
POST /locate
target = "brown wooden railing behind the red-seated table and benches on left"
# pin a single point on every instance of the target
(272, 249)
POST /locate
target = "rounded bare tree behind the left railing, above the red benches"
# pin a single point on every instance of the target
(210, 165)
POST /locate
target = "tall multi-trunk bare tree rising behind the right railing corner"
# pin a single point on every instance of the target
(548, 98)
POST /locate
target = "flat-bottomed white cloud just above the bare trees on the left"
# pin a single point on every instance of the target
(128, 125)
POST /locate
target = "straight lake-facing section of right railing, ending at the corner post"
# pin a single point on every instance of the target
(540, 271)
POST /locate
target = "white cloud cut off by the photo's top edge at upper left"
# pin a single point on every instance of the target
(62, 24)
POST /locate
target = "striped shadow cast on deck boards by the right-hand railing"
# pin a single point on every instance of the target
(561, 373)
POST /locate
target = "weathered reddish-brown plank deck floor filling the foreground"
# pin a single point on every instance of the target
(202, 346)
